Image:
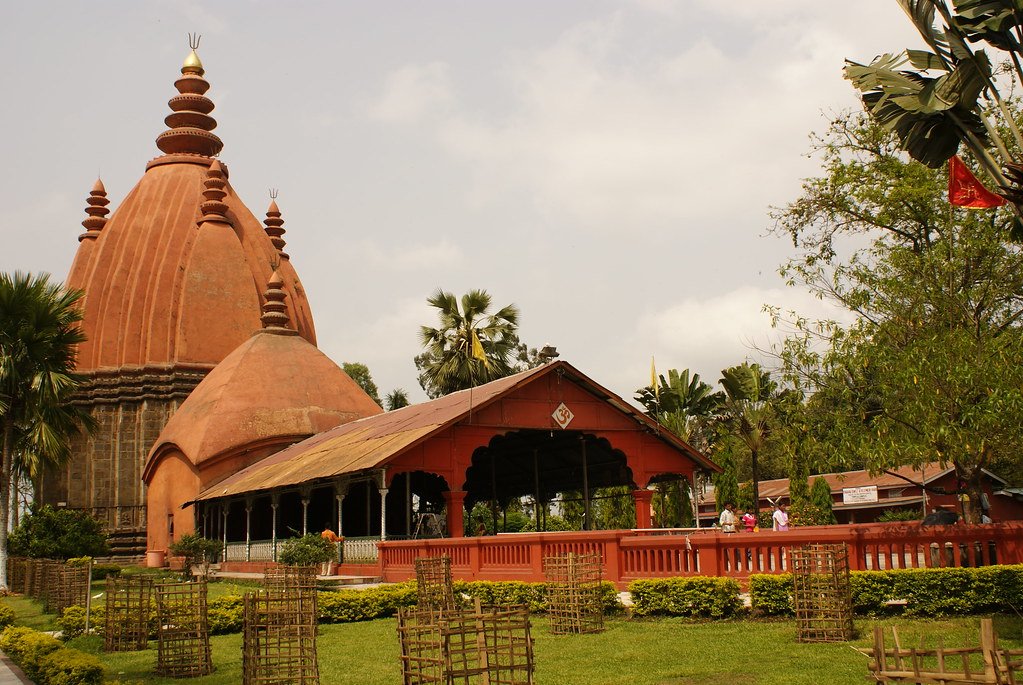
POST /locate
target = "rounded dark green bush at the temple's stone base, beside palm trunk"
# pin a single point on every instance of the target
(59, 534)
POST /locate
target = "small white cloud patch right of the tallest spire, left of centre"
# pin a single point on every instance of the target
(413, 93)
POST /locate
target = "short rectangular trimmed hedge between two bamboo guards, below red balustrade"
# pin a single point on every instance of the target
(698, 597)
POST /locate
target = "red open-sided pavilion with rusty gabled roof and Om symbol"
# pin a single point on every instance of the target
(536, 434)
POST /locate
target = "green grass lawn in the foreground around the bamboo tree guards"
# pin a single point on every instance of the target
(649, 652)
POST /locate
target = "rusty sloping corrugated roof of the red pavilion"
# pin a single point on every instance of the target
(372, 442)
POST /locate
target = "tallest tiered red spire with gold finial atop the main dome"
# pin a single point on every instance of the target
(190, 122)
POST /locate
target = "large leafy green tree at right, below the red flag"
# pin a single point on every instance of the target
(925, 368)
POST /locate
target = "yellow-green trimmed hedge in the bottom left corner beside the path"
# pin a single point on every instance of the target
(47, 662)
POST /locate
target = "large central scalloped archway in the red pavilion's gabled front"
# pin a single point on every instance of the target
(572, 469)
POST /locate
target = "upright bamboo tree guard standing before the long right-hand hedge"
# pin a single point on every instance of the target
(822, 597)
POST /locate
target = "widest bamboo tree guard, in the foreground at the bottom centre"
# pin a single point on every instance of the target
(482, 646)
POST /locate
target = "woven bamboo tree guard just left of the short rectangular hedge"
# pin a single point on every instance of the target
(574, 602)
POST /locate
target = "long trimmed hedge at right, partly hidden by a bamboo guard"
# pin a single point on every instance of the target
(927, 592)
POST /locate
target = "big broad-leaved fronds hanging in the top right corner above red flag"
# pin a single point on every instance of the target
(935, 101)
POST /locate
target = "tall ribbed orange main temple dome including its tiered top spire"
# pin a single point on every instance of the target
(169, 284)
